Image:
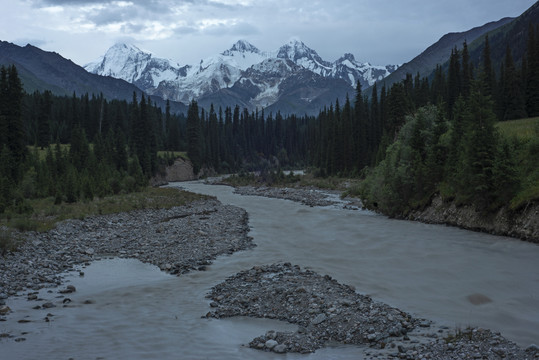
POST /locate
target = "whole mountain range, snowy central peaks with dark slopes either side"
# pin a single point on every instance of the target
(292, 79)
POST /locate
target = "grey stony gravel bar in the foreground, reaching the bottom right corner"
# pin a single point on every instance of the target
(327, 312)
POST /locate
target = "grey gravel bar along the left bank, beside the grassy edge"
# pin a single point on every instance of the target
(177, 240)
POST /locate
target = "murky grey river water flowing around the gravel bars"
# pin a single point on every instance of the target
(455, 277)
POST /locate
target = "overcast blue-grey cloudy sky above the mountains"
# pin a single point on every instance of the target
(378, 31)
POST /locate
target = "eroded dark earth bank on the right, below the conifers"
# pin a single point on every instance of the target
(522, 224)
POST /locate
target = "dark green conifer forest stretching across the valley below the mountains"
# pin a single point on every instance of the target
(419, 137)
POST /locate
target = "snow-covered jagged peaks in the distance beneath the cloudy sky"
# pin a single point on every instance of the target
(243, 73)
